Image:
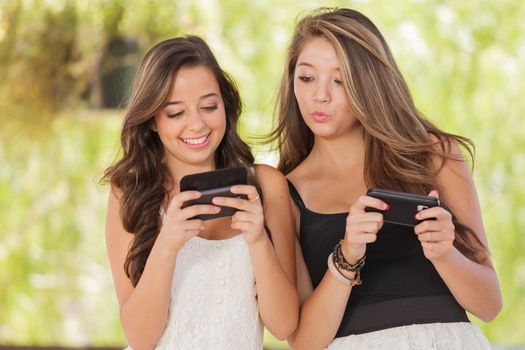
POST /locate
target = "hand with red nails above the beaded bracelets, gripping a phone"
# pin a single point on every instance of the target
(362, 227)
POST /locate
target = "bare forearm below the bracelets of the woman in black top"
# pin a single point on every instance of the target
(321, 314)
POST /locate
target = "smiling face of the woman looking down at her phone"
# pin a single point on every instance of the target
(193, 121)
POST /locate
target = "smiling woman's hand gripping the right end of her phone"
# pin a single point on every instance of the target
(249, 218)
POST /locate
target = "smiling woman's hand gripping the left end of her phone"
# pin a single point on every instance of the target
(177, 226)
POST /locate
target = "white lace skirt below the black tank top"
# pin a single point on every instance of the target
(432, 336)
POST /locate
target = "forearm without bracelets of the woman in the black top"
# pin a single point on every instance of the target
(475, 286)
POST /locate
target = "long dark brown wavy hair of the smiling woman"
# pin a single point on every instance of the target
(140, 175)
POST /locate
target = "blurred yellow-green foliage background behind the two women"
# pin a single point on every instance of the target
(464, 63)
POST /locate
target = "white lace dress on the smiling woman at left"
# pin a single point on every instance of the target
(213, 298)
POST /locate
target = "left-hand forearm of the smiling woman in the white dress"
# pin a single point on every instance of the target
(145, 312)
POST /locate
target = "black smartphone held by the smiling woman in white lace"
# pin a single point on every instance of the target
(212, 184)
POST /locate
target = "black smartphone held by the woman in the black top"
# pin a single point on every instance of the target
(403, 206)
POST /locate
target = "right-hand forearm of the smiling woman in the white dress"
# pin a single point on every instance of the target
(276, 295)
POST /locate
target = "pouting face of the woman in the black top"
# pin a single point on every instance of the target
(319, 90)
